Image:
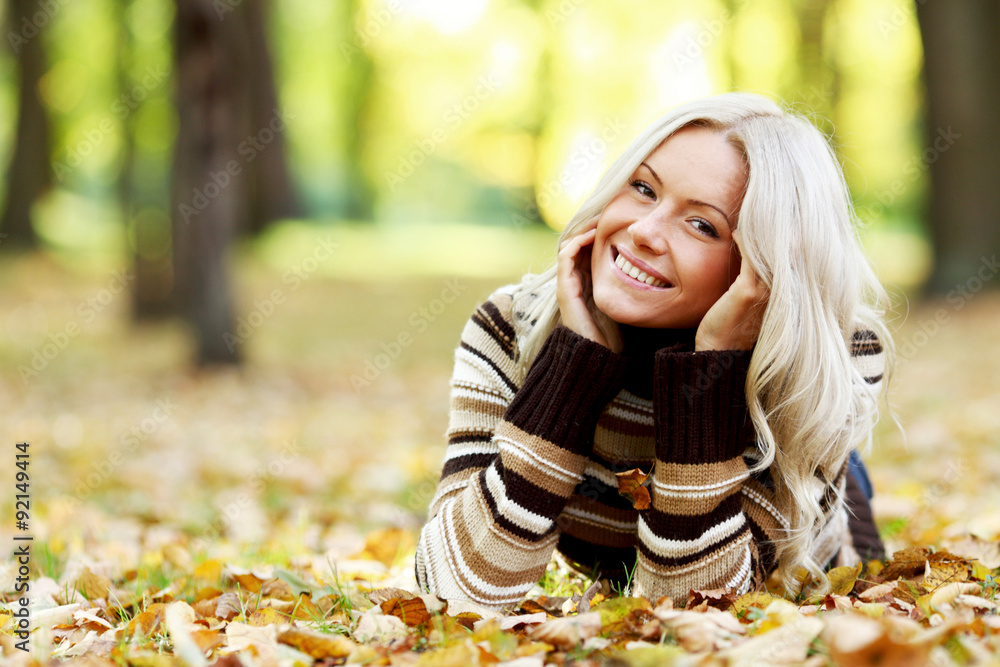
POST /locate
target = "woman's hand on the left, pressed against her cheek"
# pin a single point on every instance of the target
(573, 288)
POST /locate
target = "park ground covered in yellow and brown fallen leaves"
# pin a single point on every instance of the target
(267, 516)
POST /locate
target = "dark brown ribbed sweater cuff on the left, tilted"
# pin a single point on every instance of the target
(567, 387)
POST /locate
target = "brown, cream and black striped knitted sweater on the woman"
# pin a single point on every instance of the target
(530, 467)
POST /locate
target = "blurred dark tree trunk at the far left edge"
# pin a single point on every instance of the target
(29, 173)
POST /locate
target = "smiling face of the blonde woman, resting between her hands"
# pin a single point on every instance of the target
(664, 250)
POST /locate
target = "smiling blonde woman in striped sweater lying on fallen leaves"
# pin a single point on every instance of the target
(711, 318)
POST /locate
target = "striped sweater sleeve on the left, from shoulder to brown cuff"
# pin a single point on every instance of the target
(514, 457)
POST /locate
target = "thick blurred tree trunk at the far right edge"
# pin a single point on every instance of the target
(962, 74)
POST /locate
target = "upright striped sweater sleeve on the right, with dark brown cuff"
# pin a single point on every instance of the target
(695, 533)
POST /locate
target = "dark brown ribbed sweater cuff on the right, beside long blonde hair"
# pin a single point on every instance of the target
(700, 405)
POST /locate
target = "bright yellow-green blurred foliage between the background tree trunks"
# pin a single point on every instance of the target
(477, 109)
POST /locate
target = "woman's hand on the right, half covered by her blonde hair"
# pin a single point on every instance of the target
(734, 322)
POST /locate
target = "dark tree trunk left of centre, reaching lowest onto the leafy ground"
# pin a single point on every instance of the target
(210, 177)
